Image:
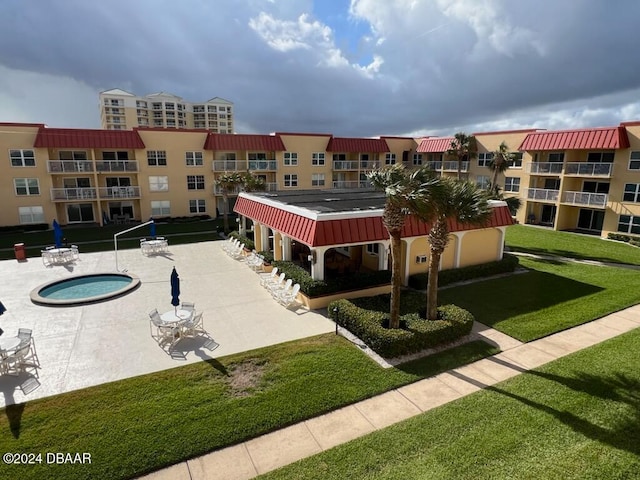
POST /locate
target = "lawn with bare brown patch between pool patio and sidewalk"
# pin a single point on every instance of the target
(141, 424)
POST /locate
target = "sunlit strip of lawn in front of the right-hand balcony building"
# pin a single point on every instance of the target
(522, 238)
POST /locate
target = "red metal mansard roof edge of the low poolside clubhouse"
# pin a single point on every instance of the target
(318, 233)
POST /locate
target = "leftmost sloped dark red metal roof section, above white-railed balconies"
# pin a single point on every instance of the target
(85, 138)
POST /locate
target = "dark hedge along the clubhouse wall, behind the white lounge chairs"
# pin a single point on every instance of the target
(316, 288)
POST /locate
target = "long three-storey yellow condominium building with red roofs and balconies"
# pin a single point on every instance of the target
(583, 180)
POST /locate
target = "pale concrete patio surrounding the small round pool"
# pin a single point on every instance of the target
(104, 342)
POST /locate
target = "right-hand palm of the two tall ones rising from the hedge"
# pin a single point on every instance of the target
(451, 199)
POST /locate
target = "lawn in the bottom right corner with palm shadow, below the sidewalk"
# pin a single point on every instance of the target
(575, 418)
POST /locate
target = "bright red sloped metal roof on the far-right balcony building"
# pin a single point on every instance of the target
(587, 138)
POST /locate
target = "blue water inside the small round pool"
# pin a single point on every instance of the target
(85, 287)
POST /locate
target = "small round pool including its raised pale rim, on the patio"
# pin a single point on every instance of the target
(83, 289)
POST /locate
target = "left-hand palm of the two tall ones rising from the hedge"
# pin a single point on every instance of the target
(401, 190)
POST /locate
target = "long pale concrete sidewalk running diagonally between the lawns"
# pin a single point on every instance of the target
(282, 447)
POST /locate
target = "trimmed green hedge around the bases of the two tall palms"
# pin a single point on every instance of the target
(415, 334)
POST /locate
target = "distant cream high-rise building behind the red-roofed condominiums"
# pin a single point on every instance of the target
(121, 110)
